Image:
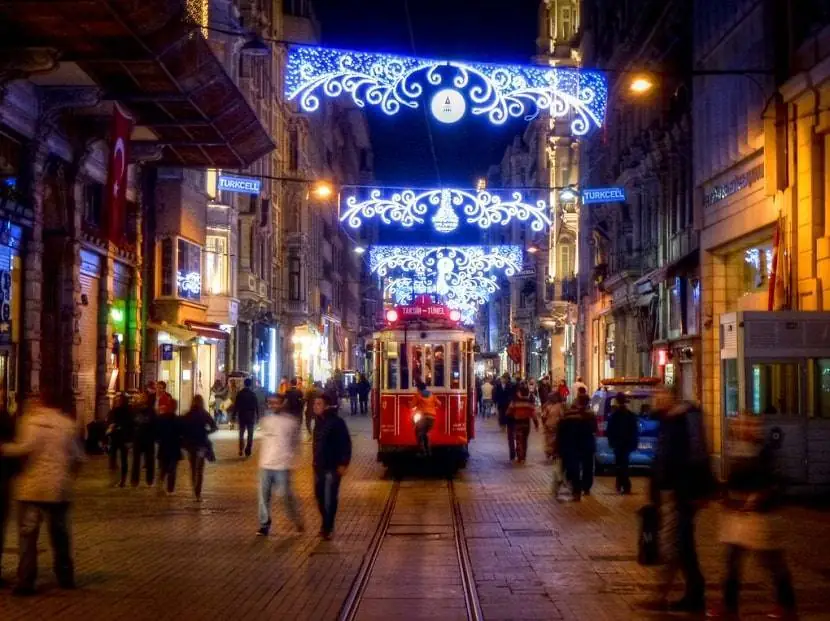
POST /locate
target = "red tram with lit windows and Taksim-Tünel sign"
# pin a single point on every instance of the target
(424, 342)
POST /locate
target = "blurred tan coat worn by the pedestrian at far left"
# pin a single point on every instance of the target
(49, 442)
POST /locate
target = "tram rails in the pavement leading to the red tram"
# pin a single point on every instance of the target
(366, 574)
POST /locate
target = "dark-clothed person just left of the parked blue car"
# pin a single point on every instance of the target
(576, 443)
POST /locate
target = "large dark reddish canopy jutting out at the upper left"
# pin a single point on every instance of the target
(152, 57)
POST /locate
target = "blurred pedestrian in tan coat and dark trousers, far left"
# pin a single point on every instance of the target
(47, 440)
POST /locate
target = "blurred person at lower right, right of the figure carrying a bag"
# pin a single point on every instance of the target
(750, 524)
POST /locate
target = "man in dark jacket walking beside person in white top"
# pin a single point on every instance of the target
(332, 452)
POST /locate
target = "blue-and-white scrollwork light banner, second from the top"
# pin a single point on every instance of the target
(409, 207)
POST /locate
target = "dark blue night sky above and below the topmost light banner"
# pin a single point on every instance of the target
(454, 29)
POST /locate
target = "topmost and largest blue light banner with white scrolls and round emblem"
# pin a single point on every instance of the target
(499, 92)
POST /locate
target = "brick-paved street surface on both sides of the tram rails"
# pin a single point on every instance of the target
(144, 556)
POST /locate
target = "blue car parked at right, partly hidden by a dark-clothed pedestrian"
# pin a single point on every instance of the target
(639, 392)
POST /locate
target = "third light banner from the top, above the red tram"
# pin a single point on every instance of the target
(445, 261)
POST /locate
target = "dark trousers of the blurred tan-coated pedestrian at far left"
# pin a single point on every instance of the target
(30, 515)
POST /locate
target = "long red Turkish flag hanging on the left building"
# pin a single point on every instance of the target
(116, 196)
